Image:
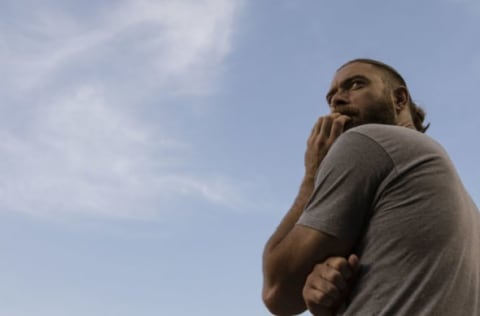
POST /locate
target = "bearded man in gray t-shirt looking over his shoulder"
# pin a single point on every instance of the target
(380, 209)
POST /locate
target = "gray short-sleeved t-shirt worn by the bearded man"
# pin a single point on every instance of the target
(394, 194)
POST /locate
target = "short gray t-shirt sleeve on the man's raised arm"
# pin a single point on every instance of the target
(345, 187)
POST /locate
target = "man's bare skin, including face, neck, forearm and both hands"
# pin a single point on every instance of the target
(297, 274)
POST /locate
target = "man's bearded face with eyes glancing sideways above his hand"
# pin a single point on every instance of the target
(359, 92)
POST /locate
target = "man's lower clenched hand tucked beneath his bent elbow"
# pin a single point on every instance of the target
(327, 285)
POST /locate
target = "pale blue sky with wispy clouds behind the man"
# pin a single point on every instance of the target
(150, 148)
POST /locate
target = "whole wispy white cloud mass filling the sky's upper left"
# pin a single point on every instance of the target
(73, 82)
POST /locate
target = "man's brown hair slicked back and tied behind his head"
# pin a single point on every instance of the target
(418, 114)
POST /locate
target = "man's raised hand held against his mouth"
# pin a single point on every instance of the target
(325, 131)
